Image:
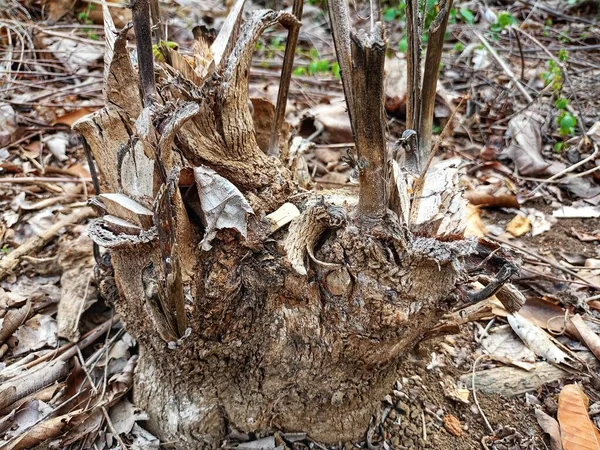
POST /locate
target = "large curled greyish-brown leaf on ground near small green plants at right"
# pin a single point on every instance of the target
(526, 146)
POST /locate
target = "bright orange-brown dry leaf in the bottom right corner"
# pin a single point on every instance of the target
(576, 429)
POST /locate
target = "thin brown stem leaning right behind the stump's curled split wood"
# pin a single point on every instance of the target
(286, 76)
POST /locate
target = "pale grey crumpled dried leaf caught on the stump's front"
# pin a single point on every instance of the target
(224, 206)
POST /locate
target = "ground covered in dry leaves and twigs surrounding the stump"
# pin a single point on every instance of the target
(52, 75)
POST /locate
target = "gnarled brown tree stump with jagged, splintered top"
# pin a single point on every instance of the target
(243, 325)
